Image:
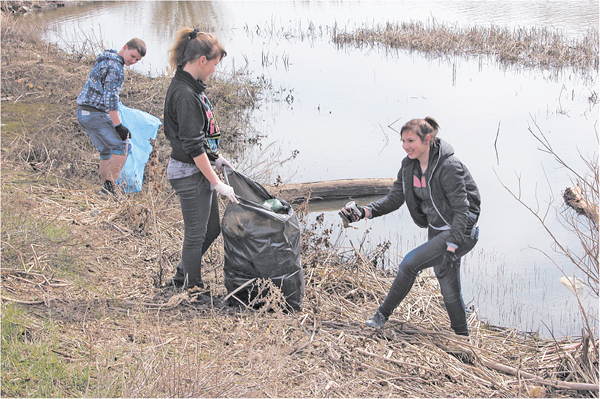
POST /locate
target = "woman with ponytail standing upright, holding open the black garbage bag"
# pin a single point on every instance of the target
(194, 136)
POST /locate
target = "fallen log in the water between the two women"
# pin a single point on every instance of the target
(330, 190)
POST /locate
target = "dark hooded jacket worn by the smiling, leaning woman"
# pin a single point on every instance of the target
(453, 192)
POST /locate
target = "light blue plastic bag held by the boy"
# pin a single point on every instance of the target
(143, 127)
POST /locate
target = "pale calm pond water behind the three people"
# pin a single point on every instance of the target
(346, 105)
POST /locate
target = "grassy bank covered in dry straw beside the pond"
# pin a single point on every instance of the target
(85, 313)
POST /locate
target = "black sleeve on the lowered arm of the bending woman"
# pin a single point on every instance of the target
(452, 180)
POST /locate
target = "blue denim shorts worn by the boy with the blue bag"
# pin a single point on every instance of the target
(105, 138)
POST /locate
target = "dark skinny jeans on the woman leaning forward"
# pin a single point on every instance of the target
(427, 255)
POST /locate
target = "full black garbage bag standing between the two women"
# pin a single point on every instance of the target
(261, 237)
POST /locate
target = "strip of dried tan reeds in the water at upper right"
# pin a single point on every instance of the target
(533, 47)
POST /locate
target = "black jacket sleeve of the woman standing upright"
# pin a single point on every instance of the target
(191, 127)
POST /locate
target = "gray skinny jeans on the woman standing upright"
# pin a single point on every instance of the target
(200, 210)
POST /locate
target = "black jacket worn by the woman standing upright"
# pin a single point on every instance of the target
(185, 120)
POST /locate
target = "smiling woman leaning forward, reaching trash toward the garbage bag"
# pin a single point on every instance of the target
(442, 196)
